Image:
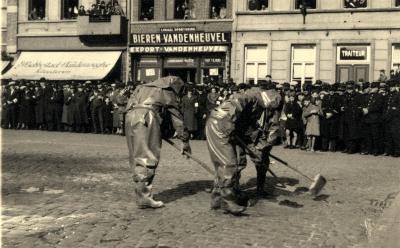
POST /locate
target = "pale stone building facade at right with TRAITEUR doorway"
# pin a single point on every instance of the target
(333, 41)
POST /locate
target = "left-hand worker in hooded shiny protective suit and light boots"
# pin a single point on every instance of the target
(153, 113)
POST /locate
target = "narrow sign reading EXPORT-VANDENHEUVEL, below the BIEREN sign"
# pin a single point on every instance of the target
(178, 49)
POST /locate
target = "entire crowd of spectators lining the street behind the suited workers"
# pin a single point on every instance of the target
(352, 117)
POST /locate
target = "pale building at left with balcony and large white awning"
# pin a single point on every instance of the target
(51, 40)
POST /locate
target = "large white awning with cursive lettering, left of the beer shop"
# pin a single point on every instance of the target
(63, 65)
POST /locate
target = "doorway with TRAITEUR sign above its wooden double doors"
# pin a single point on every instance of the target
(353, 63)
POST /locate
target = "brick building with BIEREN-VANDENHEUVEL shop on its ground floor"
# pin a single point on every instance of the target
(187, 38)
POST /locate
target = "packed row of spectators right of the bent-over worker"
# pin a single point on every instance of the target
(349, 117)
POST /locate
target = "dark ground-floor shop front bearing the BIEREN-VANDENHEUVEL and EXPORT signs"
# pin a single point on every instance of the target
(196, 57)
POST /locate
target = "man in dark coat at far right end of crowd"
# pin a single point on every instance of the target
(391, 119)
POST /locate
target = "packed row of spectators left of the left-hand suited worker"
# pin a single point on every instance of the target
(64, 106)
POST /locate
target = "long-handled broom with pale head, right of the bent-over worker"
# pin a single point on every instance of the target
(317, 183)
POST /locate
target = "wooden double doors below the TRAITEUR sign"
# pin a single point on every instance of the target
(355, 73)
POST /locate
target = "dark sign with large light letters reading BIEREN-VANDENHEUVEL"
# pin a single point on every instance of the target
(181, 38)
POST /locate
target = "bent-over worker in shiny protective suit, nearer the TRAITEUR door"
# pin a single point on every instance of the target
(240, 117)
